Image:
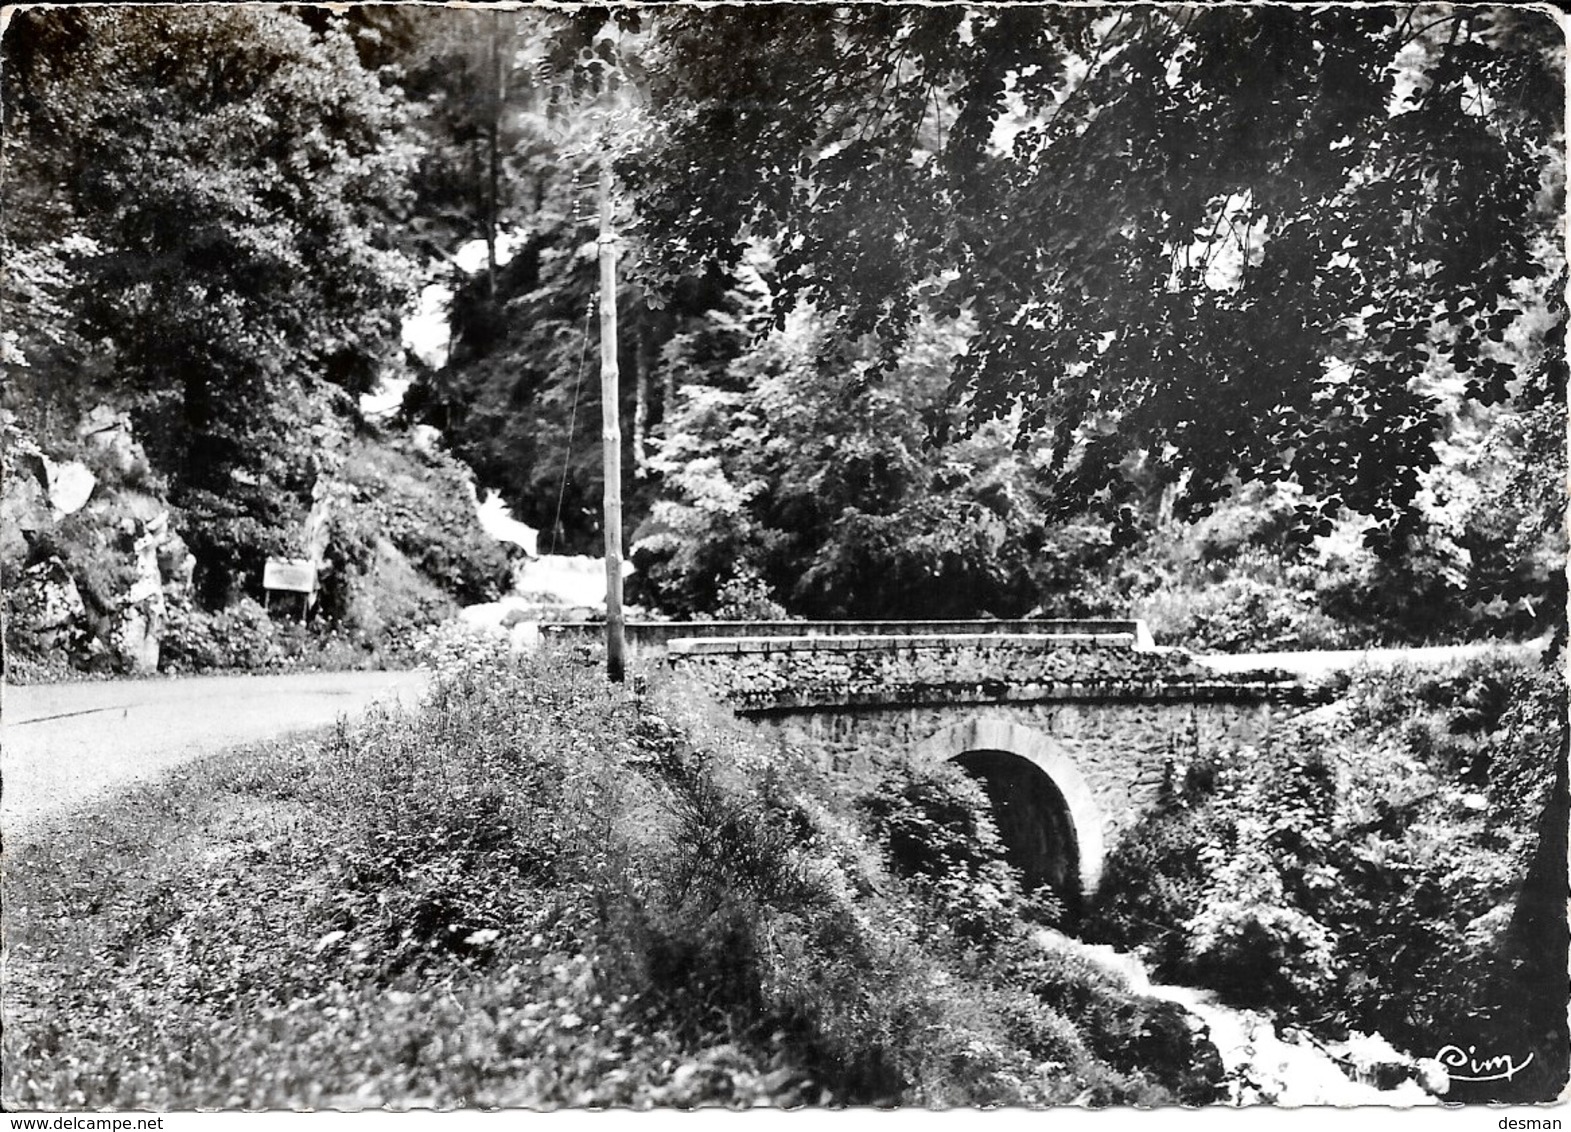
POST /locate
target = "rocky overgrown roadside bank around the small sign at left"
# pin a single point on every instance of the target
(104, 582)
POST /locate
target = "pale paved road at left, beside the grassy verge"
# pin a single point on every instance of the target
(65, 743)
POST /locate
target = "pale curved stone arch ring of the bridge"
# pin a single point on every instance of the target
(1056, 802)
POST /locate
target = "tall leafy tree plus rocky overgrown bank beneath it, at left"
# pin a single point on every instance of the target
(208, 224)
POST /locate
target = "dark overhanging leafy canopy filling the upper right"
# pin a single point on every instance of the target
(1236, 243)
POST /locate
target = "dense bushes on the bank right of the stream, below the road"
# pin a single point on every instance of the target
(1368, 872)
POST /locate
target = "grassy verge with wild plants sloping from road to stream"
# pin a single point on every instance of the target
(536, 893)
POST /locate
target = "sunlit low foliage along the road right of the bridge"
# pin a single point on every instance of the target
(1229, 583)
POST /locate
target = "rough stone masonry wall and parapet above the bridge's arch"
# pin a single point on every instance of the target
(1121, 712)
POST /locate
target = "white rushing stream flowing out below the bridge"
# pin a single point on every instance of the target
(1265, 1065)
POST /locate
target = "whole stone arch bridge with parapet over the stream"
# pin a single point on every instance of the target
(1071, 726)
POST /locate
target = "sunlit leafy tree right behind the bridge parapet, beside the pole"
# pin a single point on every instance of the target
(791, 464)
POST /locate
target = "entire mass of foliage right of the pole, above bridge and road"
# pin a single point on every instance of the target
(1168, 252)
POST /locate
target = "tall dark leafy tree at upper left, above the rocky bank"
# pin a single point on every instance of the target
(205, 195)
